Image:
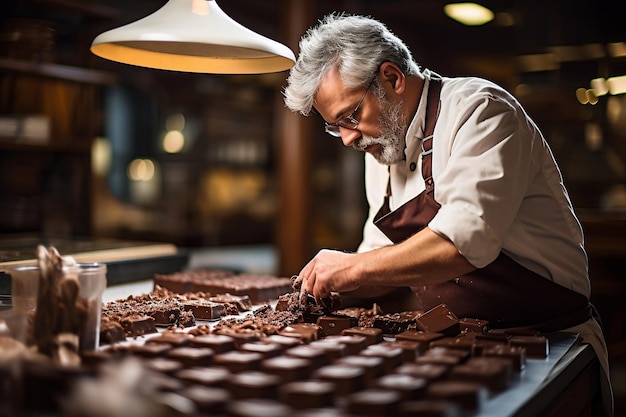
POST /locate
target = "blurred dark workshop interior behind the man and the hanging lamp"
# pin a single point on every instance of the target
(94, 148)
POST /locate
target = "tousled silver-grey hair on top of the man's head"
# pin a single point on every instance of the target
(355, 45)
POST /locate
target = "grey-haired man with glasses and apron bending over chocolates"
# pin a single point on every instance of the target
(467, 204)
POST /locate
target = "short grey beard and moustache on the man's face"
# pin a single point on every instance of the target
(391, 140)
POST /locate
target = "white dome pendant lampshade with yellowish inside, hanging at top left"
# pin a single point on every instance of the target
(193, 36)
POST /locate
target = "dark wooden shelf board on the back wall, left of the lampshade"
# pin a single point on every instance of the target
(61, 72)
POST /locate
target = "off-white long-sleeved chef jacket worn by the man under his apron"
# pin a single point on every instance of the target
(498, 185)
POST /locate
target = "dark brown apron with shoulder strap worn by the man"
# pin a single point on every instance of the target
(503, 292)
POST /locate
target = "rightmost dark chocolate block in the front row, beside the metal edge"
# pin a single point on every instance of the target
(468, 396)
